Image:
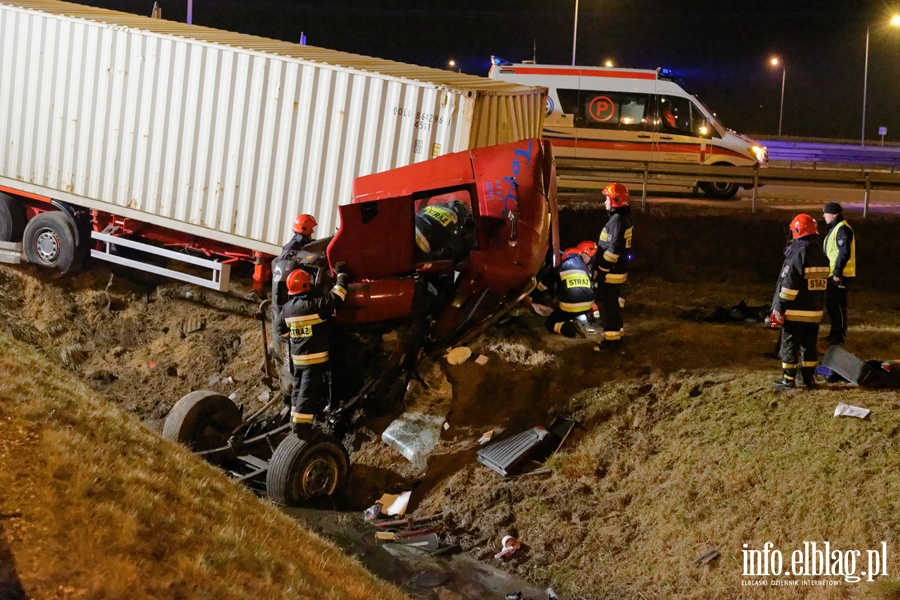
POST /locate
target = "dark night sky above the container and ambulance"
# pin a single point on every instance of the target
(719, 48)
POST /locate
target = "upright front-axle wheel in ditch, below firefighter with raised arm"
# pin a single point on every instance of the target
(303, 469)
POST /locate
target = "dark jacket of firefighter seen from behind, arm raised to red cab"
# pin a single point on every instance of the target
(305, 317)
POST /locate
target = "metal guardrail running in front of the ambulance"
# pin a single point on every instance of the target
(573, 172)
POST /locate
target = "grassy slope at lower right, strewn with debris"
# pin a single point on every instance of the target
(669, 467)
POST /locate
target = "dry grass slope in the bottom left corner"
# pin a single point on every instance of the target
(92, 505)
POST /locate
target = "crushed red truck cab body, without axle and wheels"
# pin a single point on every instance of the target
(510, 192)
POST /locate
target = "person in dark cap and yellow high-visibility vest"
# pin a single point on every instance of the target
(840, 248)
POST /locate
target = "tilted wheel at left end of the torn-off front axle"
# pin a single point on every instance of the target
(202, 420)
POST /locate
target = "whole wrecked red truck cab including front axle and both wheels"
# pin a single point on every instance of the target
(436, 251)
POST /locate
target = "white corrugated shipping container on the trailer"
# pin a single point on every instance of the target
(222, 135)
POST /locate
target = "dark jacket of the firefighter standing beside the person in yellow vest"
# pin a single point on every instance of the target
(800, 292)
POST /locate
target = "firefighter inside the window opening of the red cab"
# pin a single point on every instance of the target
(444, 230)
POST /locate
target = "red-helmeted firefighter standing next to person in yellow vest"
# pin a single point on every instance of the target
(798, 301)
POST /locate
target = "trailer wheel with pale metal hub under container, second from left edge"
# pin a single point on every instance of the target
(49, 242)
